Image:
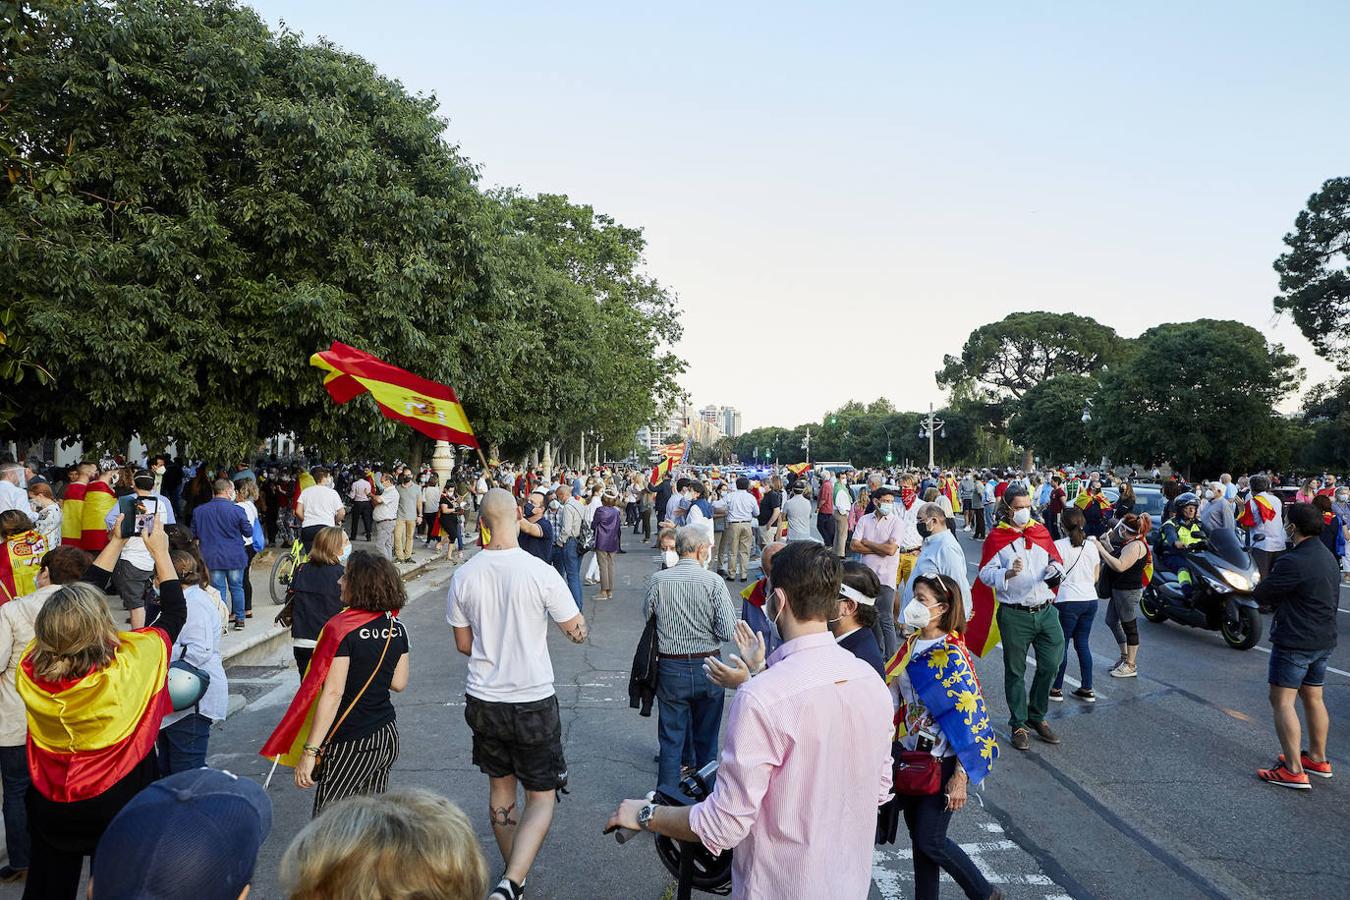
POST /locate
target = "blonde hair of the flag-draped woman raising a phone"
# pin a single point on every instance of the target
(74, 634)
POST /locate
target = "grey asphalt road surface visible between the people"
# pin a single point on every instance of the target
(1151, 795)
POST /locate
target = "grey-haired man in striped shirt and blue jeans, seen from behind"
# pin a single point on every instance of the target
(695, 617)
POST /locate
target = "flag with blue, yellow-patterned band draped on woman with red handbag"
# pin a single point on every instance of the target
(946, 685)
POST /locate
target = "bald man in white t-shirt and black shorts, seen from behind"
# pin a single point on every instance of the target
(500, 605)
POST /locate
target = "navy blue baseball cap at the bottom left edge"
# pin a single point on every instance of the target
(195, 835)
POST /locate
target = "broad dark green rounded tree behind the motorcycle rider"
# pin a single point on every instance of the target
(1198, 395)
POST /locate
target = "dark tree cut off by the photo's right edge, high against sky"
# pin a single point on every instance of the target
(1316, 272)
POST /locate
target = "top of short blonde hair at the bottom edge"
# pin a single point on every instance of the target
(402, 845)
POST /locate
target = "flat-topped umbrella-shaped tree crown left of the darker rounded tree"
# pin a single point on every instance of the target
(1023, 350)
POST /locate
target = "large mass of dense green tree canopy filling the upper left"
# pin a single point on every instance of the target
(196, 204)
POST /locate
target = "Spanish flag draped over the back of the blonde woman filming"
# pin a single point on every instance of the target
(86, 735)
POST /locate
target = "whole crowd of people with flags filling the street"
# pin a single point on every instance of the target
(857, 638)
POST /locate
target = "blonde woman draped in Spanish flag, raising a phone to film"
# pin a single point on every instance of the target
(95, 700)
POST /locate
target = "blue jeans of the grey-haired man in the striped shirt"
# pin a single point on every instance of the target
(688, 704)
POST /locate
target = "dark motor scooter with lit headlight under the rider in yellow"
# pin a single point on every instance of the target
(1218, 597)
